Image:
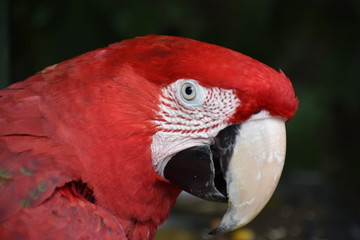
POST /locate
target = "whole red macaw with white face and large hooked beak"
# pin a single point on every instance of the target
(100, 146)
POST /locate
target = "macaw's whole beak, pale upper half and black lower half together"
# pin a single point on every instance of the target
(242, 167)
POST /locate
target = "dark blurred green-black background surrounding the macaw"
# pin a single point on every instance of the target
(316, 43)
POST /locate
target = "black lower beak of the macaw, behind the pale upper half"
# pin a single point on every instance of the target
(201, 170)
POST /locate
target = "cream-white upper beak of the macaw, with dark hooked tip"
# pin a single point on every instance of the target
(254, 169)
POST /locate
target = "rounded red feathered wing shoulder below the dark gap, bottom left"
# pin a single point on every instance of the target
(62, 218)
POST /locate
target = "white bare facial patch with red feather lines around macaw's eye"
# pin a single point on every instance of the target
(189, 115)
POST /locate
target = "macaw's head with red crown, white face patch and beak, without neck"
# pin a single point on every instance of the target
(219, 119)
